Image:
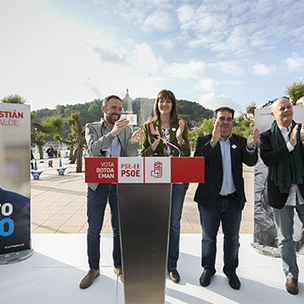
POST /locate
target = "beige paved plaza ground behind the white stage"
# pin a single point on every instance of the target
(58, 203)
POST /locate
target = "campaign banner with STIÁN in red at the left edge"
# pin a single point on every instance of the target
(14, 178)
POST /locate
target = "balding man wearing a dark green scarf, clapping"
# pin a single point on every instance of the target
(282, 150)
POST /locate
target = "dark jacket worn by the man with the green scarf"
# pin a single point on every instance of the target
(271, 157)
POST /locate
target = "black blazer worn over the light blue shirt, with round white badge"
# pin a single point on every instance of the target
(208, 192)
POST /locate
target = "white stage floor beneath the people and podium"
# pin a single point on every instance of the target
(52, 275)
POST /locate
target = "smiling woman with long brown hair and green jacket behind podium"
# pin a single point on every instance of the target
(166, 135)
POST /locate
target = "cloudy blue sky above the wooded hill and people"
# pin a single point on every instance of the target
(215, 52)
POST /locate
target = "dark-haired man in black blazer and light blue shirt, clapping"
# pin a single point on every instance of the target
(221, 198)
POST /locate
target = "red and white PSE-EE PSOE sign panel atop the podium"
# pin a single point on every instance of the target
(144, 170)
